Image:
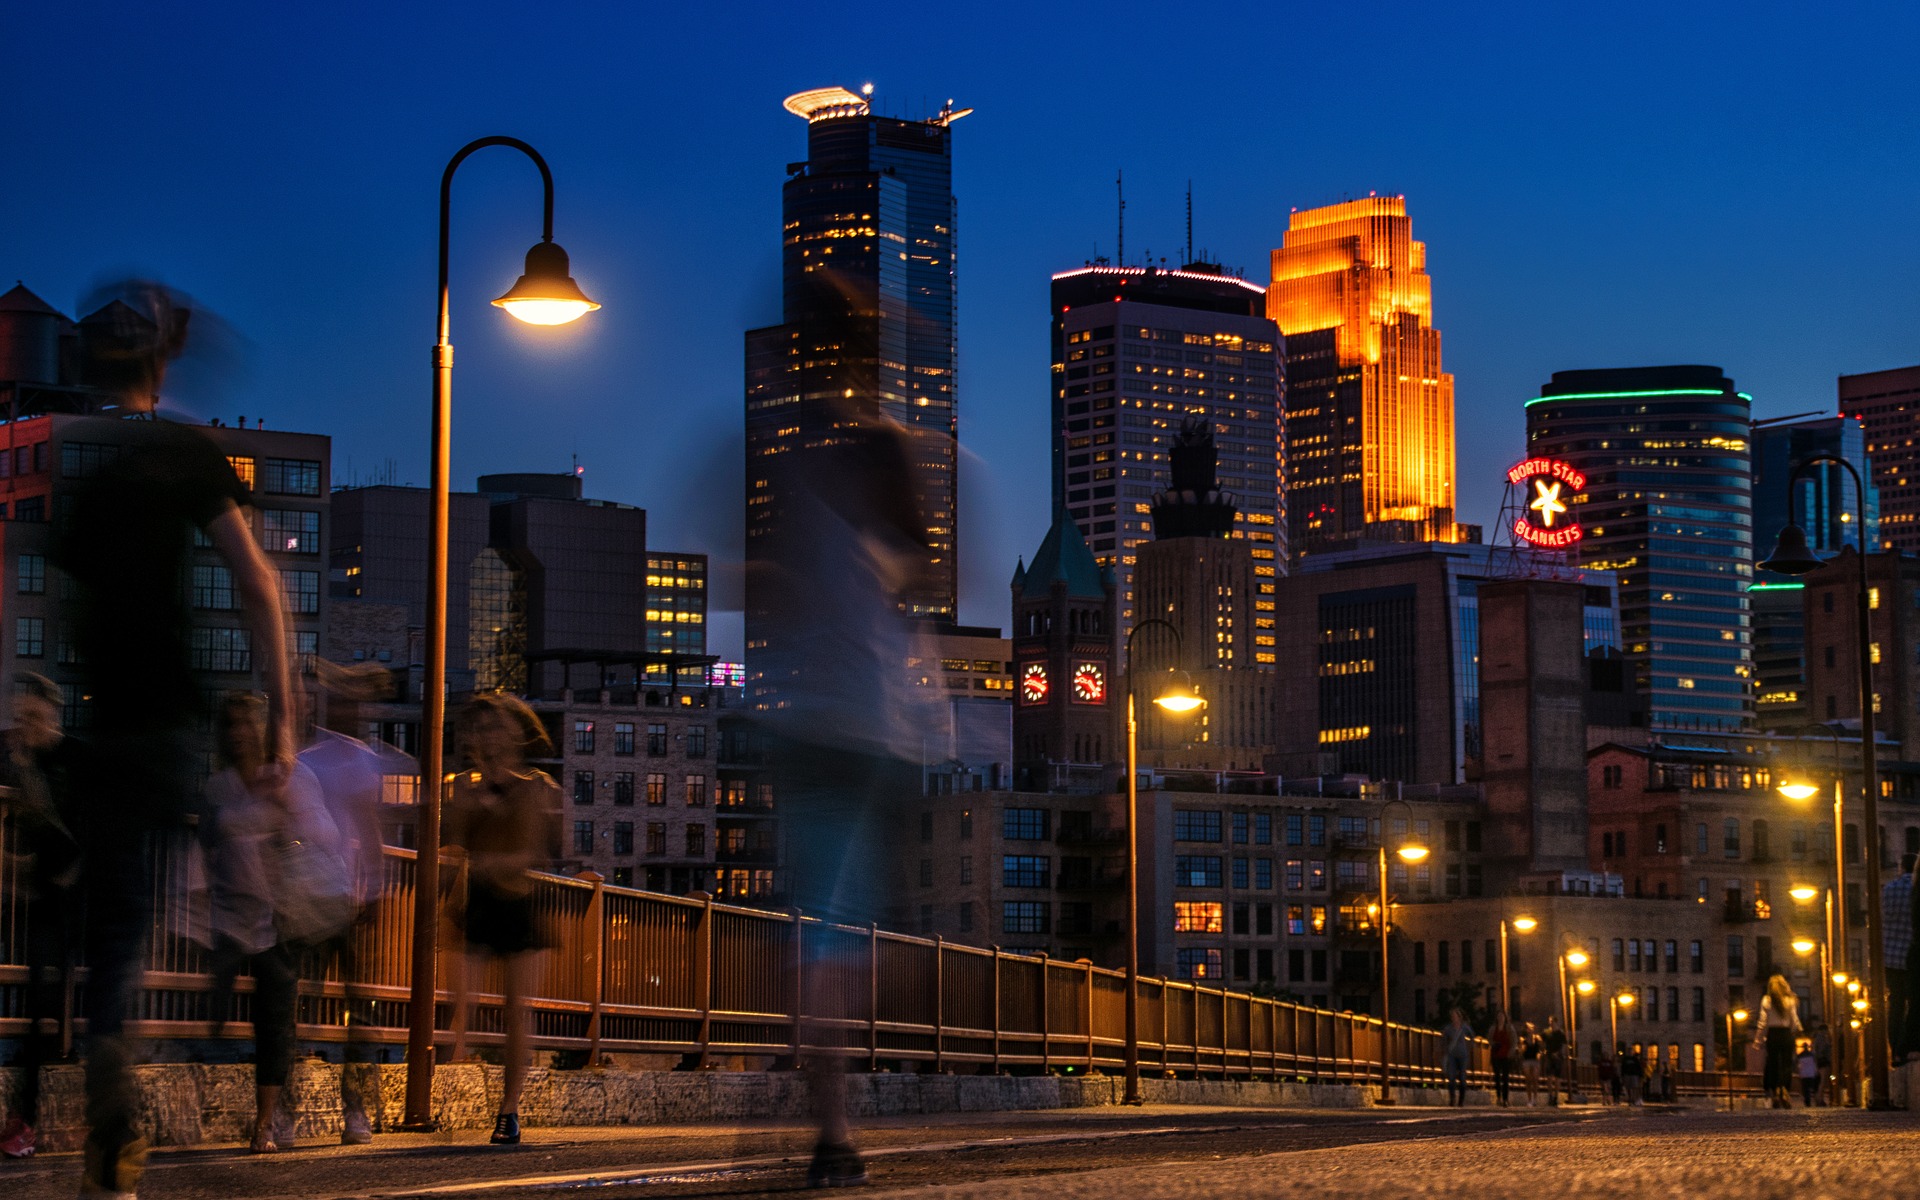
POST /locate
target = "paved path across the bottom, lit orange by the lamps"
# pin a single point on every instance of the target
(1099, 1155)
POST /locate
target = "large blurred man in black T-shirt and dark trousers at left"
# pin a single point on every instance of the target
(143, 492)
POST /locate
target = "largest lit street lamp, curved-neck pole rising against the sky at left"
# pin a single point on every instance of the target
(544, 295)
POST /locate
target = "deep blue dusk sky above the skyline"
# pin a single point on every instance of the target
(1598, 187)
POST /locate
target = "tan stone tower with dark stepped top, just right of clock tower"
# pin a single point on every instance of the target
(1201, 581)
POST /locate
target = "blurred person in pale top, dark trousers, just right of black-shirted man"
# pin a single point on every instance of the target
(247, 834)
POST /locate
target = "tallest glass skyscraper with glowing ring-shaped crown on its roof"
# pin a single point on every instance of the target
(867, 335)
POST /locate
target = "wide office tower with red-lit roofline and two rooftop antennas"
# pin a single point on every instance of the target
(1136, 354)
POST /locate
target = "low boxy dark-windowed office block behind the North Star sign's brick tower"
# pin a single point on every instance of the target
(1380, 660)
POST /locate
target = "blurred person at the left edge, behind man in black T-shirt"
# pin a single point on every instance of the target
(45, 861)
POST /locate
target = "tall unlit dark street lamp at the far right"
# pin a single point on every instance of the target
(1794, 558)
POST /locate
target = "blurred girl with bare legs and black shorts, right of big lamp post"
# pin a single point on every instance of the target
(504, 819)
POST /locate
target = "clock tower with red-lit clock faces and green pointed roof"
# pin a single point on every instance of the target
(1065, 673)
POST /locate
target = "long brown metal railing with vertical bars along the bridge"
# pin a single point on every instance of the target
(640, 972)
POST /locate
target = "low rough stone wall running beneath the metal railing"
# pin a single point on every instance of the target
(185, 1105)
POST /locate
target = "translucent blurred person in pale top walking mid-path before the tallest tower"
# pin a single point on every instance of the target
(827, 588)
